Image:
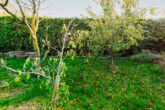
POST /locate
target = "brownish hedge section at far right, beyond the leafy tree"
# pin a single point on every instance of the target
(154, 35)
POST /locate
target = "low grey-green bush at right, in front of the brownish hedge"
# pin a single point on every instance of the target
(146, 56)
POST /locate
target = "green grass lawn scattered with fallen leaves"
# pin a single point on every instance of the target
(92, 86)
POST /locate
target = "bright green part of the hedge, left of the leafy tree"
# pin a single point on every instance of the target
(15, 36)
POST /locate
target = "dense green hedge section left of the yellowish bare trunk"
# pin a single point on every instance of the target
(12, 36)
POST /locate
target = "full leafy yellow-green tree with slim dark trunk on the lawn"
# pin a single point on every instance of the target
(116, 28)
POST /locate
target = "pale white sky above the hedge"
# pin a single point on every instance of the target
(76, 8)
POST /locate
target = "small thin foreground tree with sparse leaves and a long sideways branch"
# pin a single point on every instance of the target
(53, 72)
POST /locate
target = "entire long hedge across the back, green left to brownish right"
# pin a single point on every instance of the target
(15, 36)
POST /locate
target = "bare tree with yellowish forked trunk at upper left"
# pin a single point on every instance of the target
(32, 25)
